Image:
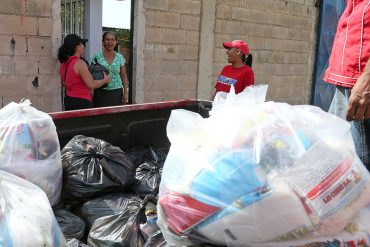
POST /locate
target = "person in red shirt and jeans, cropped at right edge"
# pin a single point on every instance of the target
(349, 70)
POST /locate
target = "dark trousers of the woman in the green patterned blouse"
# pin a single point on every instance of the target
(104, 98)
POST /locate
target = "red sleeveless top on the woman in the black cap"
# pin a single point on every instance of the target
(75, 86)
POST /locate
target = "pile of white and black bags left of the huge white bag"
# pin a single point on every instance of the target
(105, 192)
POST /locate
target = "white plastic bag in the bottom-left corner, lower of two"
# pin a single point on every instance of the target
(26, 218)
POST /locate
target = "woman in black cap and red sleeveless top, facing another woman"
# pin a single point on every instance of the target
(75, 74)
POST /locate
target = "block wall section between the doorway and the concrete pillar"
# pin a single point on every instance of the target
(171, 49)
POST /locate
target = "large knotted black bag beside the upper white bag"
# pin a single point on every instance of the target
(92, 167)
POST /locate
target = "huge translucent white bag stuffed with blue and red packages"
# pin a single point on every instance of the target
(256, 172)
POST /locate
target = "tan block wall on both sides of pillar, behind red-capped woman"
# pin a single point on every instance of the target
(281, 35)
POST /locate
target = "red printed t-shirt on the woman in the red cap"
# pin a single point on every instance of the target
(239, 77)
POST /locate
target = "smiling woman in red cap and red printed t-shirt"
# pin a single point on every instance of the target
(239, 73)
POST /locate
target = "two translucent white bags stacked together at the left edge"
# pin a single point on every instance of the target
(29, 149)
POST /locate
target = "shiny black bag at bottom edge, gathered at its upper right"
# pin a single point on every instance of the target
(120, 229)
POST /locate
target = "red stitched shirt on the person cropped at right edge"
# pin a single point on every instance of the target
(351, 47)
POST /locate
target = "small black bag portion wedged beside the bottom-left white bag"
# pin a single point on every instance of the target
(73, 227)
